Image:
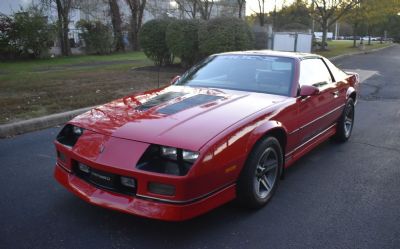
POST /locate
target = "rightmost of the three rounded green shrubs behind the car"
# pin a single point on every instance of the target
(224, 34)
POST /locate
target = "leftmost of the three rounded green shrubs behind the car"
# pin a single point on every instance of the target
(152, 40)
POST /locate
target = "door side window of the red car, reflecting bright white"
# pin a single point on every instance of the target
(313, 72)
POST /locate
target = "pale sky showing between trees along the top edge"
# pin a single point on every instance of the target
(7, 6)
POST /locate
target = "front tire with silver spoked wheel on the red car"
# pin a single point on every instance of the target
(260, 175)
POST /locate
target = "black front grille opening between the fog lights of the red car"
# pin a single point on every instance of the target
(102, 179)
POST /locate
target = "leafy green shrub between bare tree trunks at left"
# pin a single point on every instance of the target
(97, 37)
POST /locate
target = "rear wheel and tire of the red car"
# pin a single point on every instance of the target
(345, 122)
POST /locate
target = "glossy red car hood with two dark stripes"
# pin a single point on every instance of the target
(176, 116)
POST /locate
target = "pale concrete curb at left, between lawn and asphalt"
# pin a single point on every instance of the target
(9, 130)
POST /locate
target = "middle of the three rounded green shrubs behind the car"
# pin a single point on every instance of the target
(182, 40)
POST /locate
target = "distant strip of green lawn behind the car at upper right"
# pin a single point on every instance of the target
(344, 47)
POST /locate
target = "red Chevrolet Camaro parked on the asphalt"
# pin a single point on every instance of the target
(225, 130)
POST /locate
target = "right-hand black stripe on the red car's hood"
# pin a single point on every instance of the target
(188, 103)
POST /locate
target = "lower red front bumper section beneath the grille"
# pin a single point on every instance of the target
(142, 206)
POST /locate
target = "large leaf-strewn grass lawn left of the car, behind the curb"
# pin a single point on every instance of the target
(35, 88)
